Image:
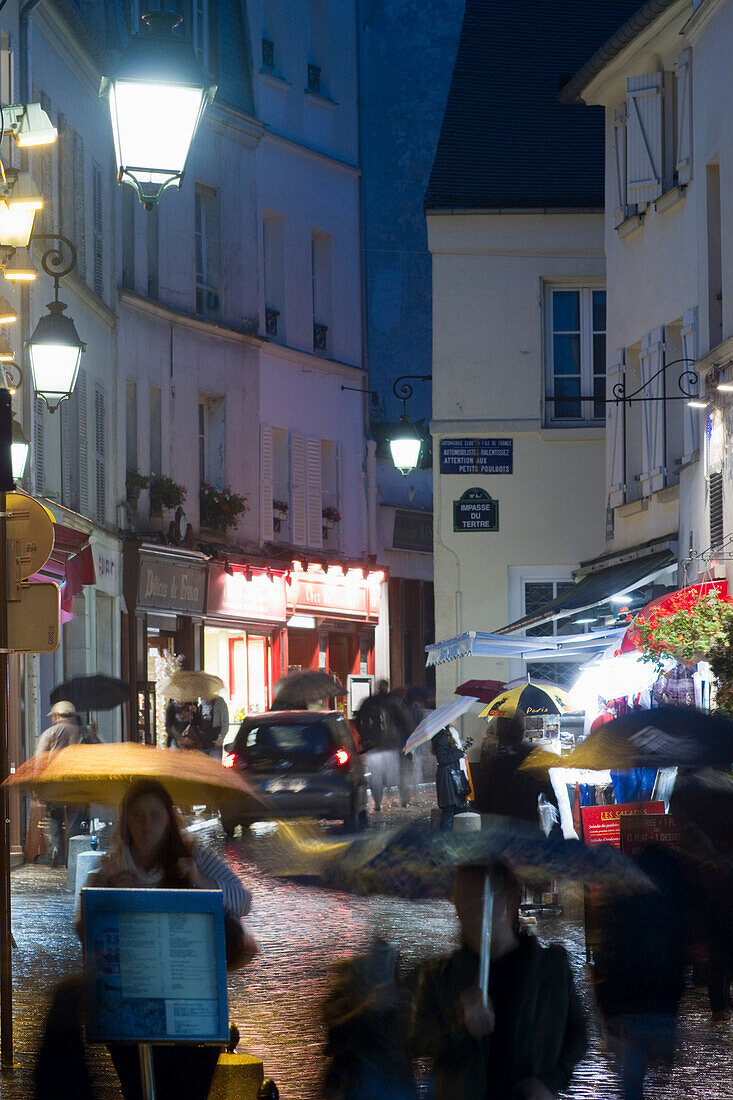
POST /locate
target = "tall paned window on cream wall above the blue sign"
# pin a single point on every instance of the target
(576, 355)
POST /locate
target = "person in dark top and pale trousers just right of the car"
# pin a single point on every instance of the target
(382, 732)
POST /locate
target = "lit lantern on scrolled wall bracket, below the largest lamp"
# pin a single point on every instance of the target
(56, 349)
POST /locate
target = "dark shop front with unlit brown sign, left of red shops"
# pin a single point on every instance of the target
(166, 596)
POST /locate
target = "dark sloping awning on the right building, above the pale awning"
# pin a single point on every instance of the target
(597, 588)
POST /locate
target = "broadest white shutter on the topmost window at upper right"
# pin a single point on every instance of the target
(644, 138)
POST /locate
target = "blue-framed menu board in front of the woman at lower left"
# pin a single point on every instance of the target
(156, 964)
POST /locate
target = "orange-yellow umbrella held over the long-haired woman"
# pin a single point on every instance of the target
(83, 774)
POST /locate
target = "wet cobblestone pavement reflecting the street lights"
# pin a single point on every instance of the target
(302, 931)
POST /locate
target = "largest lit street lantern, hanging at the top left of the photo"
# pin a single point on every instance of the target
(158, 96)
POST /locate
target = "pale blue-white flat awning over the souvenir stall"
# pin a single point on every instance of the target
(480, 644)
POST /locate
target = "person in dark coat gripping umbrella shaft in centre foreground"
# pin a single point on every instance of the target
(526, 1041)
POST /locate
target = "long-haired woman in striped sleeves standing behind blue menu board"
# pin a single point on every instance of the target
(151, 851)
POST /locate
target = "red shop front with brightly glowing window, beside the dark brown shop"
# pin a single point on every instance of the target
(246, 613)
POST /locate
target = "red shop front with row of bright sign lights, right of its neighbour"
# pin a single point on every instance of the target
(333, 617)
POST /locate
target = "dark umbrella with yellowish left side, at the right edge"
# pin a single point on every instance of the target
(661, 739)
